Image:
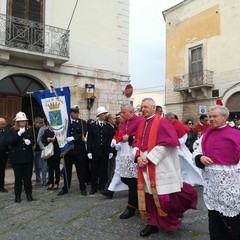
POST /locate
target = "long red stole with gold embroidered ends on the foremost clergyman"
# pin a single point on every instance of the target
(151, 169)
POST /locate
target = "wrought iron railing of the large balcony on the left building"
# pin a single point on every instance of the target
(33, 36)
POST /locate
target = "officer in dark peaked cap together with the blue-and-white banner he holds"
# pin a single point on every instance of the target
(56, 107)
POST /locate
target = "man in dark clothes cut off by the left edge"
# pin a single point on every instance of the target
(3, 155)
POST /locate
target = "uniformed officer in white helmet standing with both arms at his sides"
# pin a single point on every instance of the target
(99, 150)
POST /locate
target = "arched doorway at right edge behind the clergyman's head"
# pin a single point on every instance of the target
(233, 104)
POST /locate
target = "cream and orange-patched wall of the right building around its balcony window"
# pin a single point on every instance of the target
(208, 23)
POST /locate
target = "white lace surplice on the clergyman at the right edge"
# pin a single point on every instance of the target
(222, 189)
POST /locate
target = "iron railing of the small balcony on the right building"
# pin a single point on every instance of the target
(198, 79)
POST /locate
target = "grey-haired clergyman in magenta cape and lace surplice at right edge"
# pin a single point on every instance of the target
(218, 155)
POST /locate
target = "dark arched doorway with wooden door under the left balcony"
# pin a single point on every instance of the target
(14, 97)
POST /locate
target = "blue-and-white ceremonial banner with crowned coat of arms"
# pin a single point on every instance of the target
(56, 106)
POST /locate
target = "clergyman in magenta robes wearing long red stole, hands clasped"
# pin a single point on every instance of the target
(162, 195)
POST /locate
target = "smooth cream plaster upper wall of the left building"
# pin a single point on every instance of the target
(98, 30)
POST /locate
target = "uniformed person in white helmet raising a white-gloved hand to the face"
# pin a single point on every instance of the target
(20, 140)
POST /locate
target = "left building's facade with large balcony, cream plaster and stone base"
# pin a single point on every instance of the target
(61, 43)
